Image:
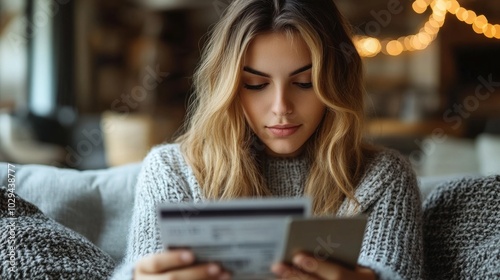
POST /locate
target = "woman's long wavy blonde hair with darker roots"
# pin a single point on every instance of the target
(217, 142)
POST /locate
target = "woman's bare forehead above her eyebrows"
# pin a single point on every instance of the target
(277, 50)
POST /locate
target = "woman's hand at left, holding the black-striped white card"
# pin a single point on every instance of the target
(177, 264)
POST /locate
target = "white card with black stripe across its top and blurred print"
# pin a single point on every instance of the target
(244, 236)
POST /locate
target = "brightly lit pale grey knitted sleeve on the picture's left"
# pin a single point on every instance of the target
(159, 181)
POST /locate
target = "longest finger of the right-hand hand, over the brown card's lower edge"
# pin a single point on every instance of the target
(322, 269)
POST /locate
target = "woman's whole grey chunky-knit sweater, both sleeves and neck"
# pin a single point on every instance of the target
(388, 194)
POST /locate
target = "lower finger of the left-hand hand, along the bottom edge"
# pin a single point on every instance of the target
(199, 272)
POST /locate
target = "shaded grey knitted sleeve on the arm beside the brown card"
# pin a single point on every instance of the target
(392, 245)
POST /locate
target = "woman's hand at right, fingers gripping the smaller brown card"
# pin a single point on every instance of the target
(309, 268)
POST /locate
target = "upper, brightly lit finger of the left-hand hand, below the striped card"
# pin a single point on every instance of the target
(162, 262)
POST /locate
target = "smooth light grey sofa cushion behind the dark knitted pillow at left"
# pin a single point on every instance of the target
(95, 203)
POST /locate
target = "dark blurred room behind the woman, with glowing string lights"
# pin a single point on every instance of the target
(90, 84)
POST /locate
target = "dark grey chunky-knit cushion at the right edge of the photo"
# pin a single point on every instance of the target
(462, 229)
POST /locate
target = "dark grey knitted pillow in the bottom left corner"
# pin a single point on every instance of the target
(33, 246)
